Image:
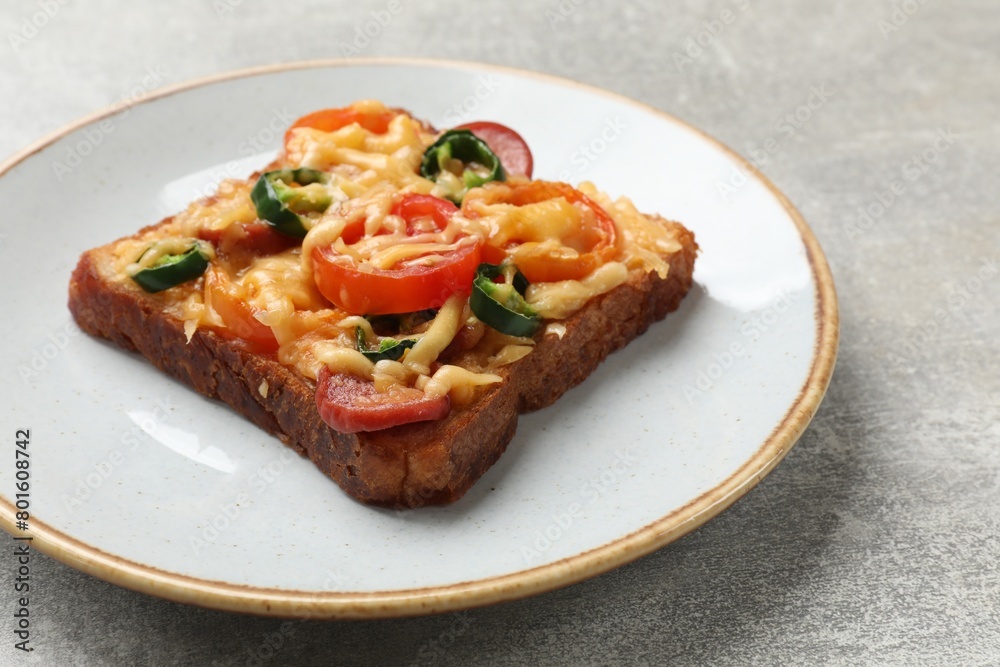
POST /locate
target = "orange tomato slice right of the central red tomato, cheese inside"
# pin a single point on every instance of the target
(594, 243)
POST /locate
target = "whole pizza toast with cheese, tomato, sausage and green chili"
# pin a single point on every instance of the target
(386, 298)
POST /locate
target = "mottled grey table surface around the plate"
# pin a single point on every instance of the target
(876, 541)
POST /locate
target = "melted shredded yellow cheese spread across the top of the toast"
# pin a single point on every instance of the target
(367, 174)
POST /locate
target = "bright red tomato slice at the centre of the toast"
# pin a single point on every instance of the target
(366, 290)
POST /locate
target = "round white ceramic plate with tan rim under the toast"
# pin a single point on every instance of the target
(140, 481)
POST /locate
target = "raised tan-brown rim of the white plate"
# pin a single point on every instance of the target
(476, 593)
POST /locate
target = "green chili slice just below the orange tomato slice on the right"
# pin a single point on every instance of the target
(502, 305)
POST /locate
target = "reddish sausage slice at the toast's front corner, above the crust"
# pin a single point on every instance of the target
(350, 404)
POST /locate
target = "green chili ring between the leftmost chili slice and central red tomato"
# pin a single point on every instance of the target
(279, 203)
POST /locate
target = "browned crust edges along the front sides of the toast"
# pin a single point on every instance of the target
(404, 466)
